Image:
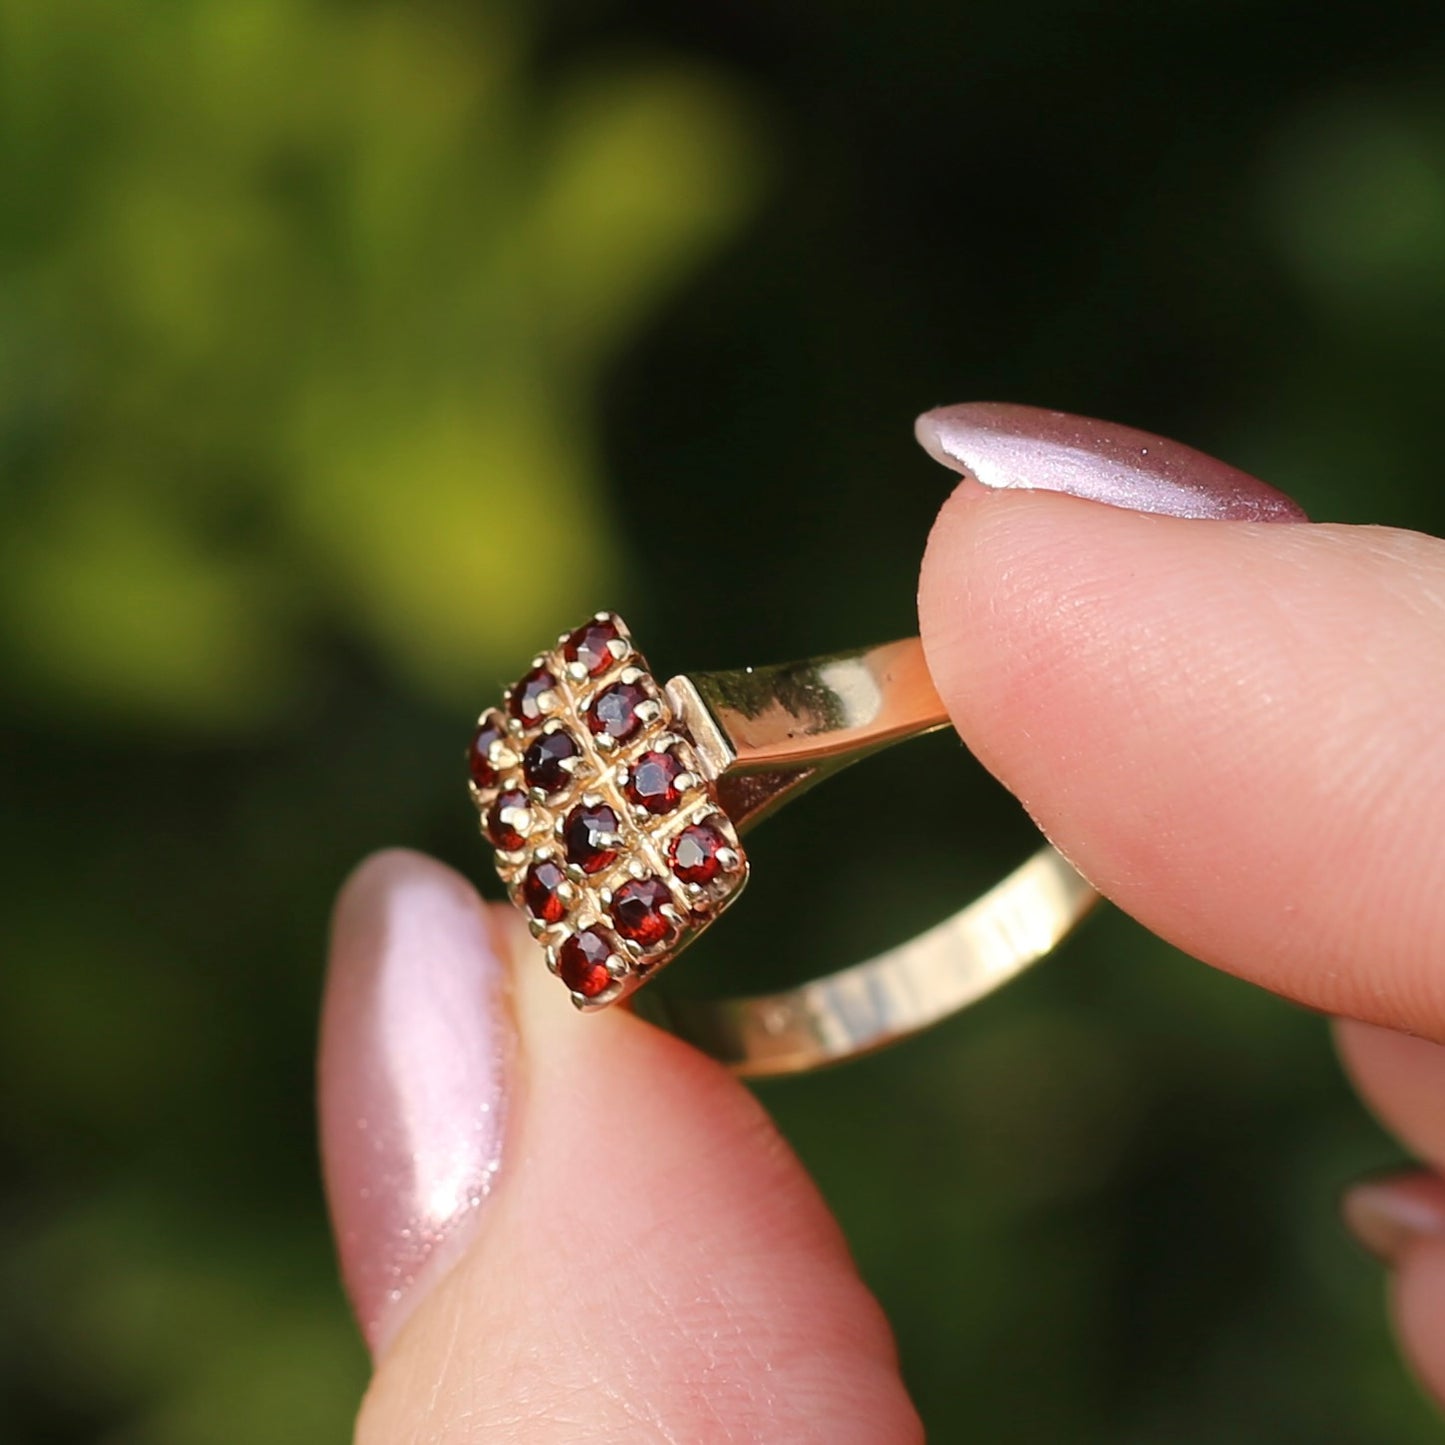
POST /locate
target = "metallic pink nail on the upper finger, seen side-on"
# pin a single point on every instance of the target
(1022, 449)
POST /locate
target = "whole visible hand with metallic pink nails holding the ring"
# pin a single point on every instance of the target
(1228, 719)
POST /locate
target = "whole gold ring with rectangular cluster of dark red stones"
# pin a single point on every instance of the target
(616, 807)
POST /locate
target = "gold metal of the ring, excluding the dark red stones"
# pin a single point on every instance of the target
(755, 739)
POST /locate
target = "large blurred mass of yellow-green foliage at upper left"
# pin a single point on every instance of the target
(309, 309)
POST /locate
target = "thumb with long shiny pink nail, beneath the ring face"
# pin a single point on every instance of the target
(558, 1228)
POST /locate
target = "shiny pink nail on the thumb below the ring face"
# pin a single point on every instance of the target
(417, 1041)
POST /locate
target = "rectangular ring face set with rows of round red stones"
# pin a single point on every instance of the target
(608, 834)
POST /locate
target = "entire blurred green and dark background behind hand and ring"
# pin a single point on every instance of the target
(300, 297)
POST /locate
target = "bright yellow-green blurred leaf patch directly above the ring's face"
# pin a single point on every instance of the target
(454, 528)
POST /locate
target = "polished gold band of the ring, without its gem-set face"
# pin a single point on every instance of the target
(765, 735)
